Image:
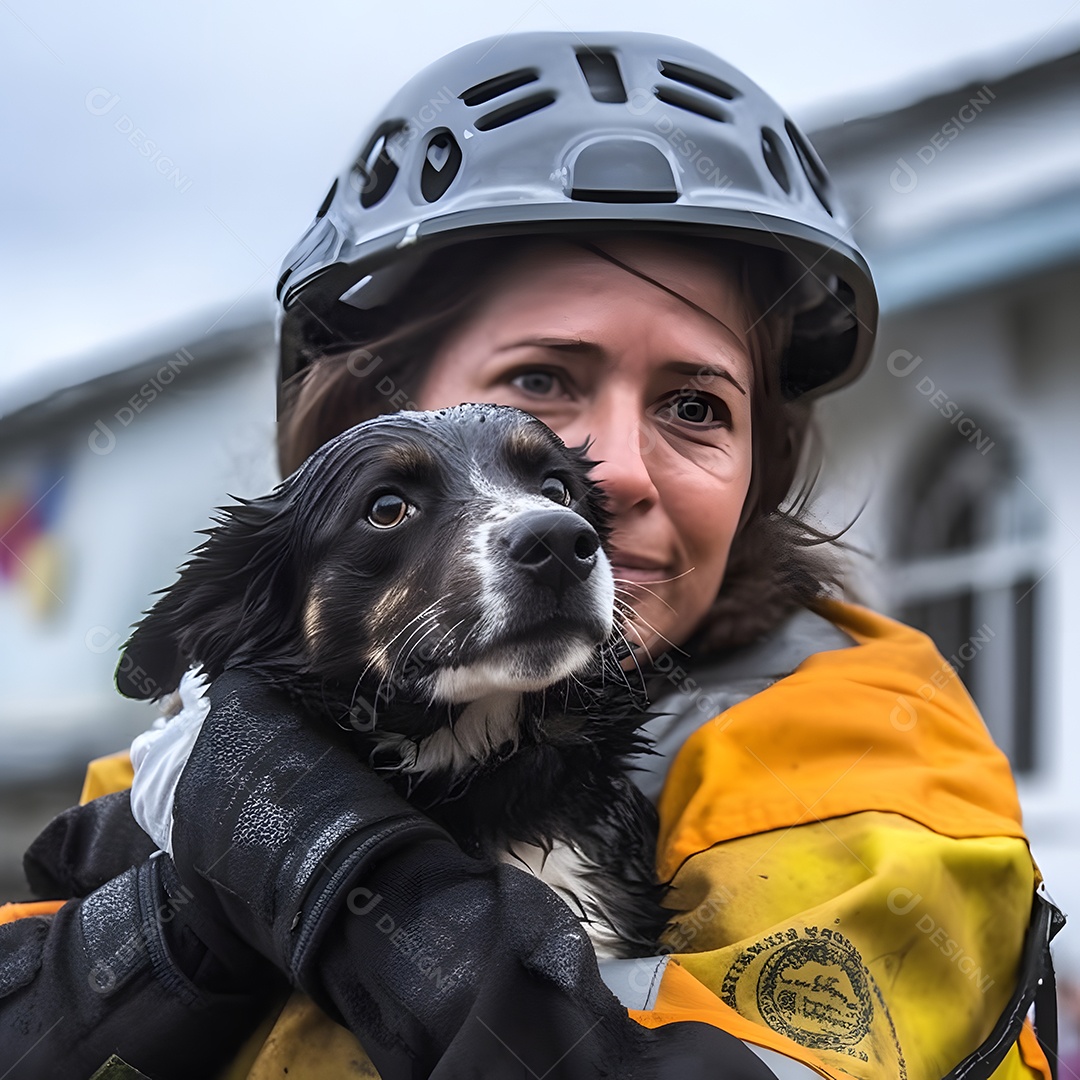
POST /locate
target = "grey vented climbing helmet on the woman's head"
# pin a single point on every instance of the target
(565, 133)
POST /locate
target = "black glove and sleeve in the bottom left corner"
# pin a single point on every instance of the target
(126, 971)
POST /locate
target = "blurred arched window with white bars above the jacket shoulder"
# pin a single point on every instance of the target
(970, 552)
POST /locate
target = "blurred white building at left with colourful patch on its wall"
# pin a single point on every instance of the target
(107, 469)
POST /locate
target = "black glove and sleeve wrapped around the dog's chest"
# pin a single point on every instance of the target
(442, 965)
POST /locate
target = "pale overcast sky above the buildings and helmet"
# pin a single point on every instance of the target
(260, 104)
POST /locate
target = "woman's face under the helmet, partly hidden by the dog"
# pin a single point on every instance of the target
(661, 389)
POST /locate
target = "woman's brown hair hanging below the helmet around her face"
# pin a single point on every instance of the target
(779, 561)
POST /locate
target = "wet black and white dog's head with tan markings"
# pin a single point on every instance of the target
(450, 556)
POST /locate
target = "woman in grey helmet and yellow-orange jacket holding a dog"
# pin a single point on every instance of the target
(846, 847)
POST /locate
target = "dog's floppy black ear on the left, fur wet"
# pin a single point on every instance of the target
(233, 601)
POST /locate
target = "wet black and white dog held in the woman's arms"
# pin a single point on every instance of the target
(437, 582)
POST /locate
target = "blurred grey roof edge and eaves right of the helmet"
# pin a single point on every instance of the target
(966, 187)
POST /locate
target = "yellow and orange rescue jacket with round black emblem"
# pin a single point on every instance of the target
(852, 871)
